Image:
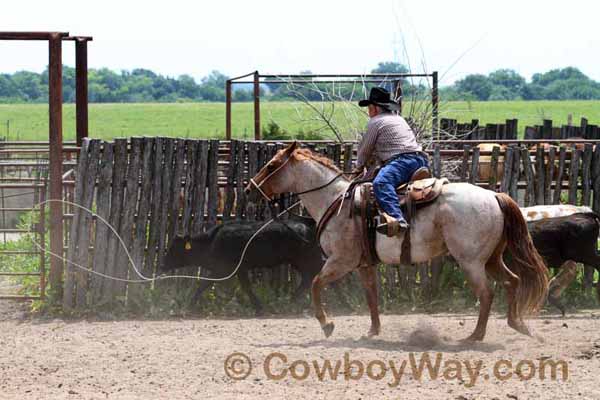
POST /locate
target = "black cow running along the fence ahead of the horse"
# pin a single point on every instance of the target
(218, 250)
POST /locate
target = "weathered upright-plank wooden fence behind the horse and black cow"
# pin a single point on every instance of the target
(152, 188)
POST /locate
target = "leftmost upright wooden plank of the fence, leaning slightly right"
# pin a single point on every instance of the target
(74, 236)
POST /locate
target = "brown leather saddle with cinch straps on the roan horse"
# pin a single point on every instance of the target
(421, 191)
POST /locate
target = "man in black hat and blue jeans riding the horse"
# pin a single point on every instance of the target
(390, 142)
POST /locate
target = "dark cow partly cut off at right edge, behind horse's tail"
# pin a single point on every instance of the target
(564, 241)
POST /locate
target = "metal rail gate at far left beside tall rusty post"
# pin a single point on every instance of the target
(23, 185)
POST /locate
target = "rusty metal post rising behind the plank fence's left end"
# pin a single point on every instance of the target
(81, 90)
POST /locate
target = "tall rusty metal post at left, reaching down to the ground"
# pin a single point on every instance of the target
(55, 156)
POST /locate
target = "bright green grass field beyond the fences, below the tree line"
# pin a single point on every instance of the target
(207, 120)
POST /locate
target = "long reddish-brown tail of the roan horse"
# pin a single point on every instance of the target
(526, 263)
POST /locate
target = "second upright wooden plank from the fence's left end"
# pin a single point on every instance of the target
(85, 223)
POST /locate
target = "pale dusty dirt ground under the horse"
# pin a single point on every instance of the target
(184, 359)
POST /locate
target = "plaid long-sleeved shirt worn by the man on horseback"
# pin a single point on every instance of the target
(387, 135)
